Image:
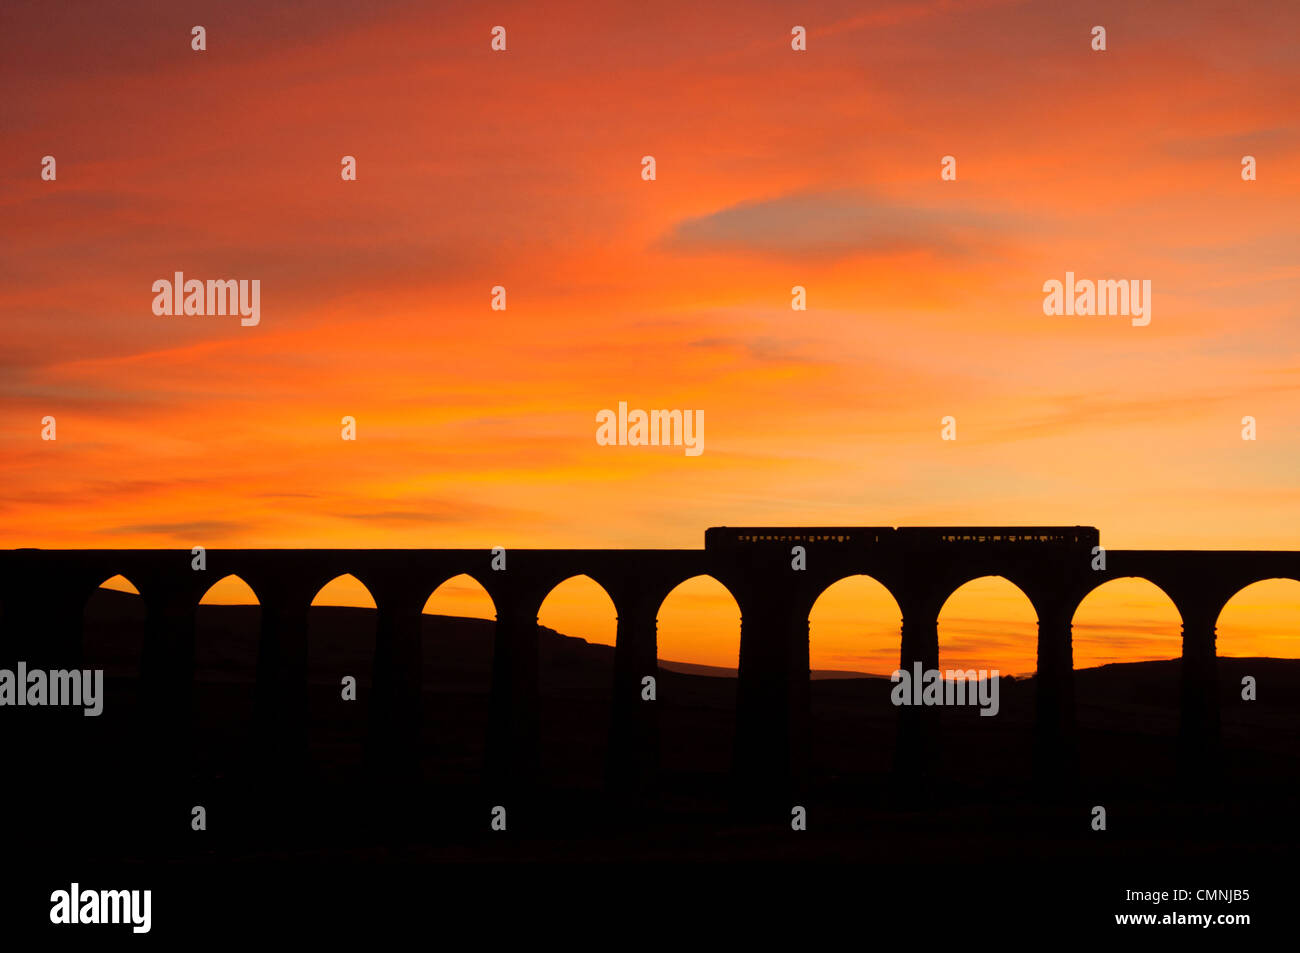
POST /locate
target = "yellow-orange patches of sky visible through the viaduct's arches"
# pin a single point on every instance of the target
(855, 626)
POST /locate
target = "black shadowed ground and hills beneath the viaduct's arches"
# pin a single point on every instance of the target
(976, 847)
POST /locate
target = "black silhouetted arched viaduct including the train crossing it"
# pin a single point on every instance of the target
(44, 595)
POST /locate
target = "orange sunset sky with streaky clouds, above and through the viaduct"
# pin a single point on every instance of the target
(774, 168)
